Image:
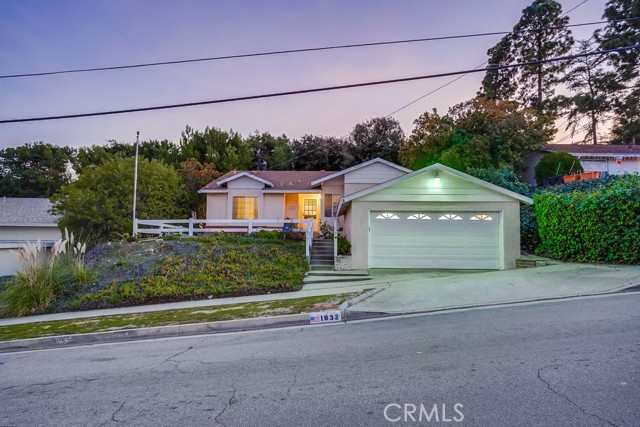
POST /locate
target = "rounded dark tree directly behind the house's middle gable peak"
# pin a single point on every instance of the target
(378, 137)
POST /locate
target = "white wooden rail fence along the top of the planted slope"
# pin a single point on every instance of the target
(193, 226)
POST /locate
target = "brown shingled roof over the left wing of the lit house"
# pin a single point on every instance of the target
(277, 180)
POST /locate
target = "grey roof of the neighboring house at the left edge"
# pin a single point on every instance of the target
(16, 211)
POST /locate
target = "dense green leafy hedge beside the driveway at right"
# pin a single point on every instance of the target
(602, 225)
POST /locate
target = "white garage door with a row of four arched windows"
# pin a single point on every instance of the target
(456, 240)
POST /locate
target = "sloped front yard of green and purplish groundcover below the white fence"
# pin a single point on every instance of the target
(178, 269)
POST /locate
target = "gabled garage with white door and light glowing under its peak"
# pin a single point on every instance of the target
(433, 218)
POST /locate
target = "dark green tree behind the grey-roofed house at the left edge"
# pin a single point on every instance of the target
(34, 170)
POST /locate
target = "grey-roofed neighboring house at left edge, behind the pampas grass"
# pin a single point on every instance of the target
(24, 220)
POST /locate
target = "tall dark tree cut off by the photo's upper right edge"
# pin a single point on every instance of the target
(625, 97)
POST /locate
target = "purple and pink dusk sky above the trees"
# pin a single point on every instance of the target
(38, 36)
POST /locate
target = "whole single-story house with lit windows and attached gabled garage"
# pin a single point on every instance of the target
(436, 217)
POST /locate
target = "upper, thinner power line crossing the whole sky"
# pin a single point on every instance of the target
(290, 51)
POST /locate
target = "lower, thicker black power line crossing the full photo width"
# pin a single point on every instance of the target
(315, 90)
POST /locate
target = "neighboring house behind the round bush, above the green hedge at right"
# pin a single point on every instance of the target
(612, 159)
